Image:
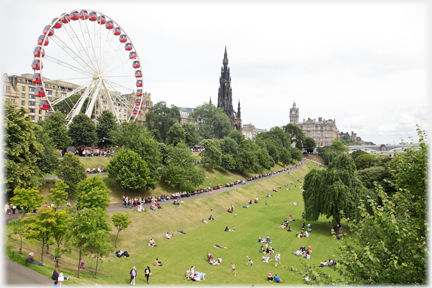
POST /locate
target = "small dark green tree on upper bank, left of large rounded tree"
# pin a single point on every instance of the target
(71, 171)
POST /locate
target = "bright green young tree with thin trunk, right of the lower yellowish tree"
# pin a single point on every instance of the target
(82, 227)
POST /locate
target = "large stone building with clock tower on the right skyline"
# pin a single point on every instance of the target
(322, 131)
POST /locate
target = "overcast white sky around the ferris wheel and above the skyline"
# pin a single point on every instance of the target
(363, 64)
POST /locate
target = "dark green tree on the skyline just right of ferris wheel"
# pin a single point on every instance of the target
(162, 118)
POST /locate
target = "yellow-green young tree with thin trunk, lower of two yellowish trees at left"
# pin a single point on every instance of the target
(39, 227)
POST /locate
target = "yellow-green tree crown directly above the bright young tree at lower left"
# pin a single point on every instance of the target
(93, 193)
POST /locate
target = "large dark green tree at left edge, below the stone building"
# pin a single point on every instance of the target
(22, 150)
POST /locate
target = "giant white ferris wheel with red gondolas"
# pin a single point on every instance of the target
(92, 51)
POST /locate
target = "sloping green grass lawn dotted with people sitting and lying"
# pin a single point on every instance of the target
(182, 251)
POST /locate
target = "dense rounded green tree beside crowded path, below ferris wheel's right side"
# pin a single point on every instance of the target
(129, 170)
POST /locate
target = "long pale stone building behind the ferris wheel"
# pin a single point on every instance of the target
(19, 89)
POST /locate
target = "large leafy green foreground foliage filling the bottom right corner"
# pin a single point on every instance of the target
(389, 246)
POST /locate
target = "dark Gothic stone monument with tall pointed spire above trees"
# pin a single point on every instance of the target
(225, 96)
